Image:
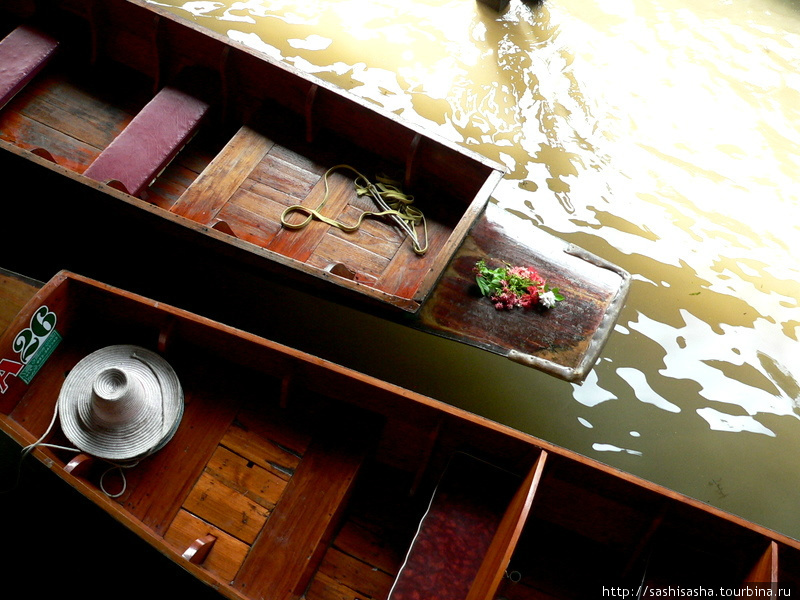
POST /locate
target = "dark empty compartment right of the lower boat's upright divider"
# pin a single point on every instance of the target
(588, 528)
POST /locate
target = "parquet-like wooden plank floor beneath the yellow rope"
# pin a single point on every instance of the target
(273, 171)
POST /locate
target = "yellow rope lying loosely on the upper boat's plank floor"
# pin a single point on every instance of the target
(386, 194)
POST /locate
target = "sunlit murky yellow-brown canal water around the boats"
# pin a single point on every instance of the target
(661, 136)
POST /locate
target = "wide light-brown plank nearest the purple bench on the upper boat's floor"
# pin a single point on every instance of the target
(217, 183)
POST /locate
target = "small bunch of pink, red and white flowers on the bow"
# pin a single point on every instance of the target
(509, 287)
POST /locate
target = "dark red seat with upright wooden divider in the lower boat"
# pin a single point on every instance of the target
(466, 537)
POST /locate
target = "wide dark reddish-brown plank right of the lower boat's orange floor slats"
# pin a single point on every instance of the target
(292, 544)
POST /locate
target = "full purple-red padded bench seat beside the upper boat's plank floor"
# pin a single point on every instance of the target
(150, 141)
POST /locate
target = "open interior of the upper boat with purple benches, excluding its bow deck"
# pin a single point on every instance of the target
(228, 143)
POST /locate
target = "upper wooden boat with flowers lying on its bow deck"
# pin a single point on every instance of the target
(141, 119)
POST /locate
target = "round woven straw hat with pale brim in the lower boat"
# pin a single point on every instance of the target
(120, 403)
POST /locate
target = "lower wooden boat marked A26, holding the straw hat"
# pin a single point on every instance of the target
(292, 477)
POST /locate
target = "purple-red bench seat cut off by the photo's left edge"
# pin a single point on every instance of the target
(23, 53)
